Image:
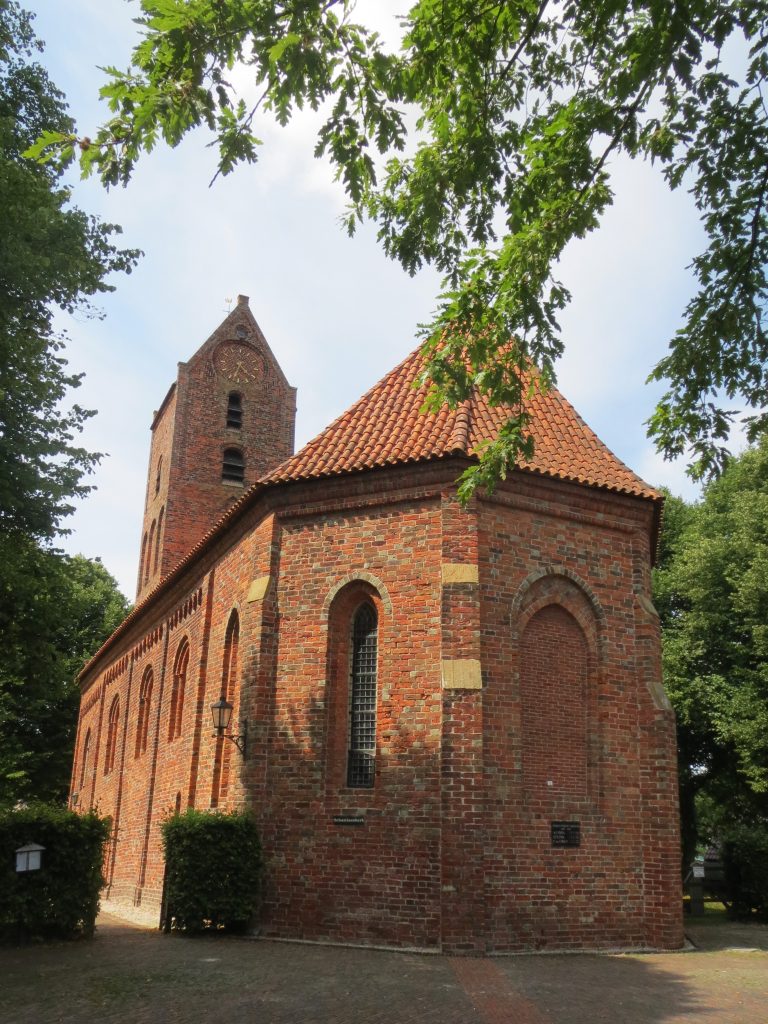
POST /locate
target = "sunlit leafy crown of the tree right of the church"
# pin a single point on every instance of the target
(713, 598)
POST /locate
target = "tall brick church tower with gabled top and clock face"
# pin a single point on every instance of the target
(227, 421)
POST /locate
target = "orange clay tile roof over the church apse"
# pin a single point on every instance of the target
(386, 429)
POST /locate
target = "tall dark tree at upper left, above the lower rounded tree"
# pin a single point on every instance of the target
(52, 255)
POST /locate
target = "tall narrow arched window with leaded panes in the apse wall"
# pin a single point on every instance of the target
(362, 755)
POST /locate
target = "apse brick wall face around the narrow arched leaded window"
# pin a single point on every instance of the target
(372, 882)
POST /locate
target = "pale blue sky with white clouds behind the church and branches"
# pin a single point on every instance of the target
(337, 314)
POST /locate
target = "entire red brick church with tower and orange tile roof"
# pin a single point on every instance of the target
(450, 722)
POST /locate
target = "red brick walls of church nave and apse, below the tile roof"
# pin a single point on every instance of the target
(517, 648)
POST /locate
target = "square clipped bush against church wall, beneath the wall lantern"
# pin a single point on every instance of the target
(214, 869)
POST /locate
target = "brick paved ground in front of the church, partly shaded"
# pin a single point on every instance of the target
(129, 974)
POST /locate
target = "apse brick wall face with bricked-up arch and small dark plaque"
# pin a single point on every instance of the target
(565, 706)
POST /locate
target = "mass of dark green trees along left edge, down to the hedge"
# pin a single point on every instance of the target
(55, 611)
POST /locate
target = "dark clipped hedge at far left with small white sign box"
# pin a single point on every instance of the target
(61, 901)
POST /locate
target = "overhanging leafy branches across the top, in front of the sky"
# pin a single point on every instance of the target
(520, 108)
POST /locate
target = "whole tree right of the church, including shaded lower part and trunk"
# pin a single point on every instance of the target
(711, 589)
